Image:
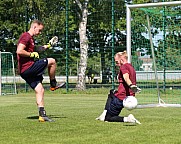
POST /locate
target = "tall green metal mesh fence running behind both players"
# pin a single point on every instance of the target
(106, 35)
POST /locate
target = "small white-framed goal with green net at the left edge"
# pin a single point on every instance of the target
(7, 74)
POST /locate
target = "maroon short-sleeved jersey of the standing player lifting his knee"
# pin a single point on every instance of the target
(25, 62)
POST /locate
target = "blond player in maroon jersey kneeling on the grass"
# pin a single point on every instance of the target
(127, 87)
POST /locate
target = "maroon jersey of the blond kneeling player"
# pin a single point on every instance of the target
(123, 88)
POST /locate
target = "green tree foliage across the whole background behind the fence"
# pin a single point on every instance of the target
(16, 17)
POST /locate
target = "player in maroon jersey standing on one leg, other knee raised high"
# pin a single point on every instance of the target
(31, 68)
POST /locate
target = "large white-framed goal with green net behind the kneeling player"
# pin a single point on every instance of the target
(154, 49)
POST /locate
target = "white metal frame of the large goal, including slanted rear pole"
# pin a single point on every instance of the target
(129, 8)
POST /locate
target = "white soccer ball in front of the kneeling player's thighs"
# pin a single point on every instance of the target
(130, 102)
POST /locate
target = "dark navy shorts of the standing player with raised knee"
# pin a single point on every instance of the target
(34, 75)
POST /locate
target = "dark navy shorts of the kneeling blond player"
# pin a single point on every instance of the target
(116, 105)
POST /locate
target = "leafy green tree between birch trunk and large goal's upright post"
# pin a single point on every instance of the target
(102, 36)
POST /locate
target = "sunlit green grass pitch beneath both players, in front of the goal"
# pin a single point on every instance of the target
(75, 123)
